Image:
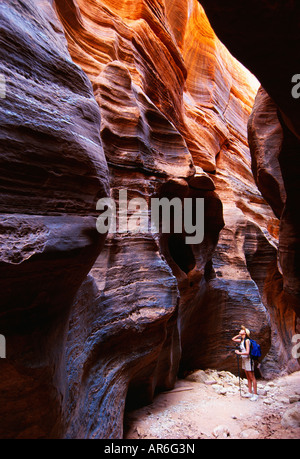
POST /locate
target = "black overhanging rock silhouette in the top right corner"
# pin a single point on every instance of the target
(266, 53)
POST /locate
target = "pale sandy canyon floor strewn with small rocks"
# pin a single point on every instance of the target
(209, 405)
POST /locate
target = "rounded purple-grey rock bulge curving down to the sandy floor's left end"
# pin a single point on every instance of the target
(120, 336)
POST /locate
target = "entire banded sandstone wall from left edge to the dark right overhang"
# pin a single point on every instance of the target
(103, 96)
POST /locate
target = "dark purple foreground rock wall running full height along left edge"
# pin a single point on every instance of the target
(52, 170)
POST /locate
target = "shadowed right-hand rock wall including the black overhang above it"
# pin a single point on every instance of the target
(273, 131)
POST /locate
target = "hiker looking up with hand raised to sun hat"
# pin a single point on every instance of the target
(248, 366)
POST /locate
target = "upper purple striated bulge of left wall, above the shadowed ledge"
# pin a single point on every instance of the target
(54, 122)
